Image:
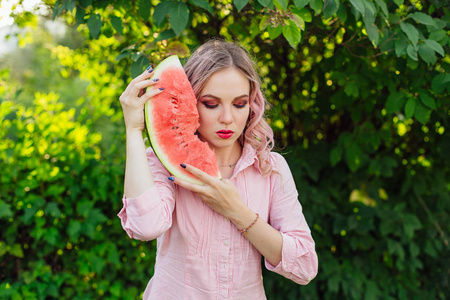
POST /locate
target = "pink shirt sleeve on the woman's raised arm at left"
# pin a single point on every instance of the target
(149, 215)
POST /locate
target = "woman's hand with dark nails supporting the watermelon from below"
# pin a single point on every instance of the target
(220, 195)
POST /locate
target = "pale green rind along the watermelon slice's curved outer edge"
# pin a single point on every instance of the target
(171, 61)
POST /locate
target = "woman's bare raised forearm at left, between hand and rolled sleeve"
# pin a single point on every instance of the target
(138, 177)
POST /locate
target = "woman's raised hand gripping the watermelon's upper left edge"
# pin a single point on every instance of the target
(133, 99)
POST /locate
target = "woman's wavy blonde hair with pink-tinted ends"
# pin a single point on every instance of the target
(216, 55)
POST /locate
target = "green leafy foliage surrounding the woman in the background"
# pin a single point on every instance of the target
(360, 107)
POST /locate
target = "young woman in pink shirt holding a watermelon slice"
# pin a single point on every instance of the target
(210, 237)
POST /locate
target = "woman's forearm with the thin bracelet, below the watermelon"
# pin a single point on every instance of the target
(266, 239)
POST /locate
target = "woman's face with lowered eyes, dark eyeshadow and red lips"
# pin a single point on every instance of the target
(224, 108)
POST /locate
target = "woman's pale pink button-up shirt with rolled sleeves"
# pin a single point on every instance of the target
(201, 254)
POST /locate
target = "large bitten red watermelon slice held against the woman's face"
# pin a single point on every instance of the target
(171, 120)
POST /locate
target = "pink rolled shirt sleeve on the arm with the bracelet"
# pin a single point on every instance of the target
(299, 260)
